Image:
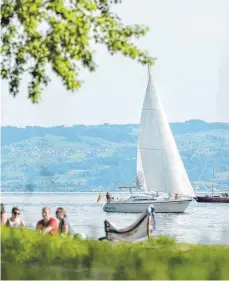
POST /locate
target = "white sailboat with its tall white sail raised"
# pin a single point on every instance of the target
(160, 170)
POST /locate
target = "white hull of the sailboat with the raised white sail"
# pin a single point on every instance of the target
(165, 206)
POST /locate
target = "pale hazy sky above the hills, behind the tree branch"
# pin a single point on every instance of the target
(189, 37)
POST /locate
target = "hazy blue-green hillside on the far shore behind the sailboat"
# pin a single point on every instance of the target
(85, 158)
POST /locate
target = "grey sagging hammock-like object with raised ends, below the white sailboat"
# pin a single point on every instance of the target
(141, 228)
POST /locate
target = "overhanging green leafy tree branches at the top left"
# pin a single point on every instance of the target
(60, 33)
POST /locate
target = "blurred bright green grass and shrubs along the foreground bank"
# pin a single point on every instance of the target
(29, 255)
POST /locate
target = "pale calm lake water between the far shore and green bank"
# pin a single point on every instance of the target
(201, 223)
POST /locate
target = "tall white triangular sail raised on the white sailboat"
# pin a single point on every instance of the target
(162, 166)
